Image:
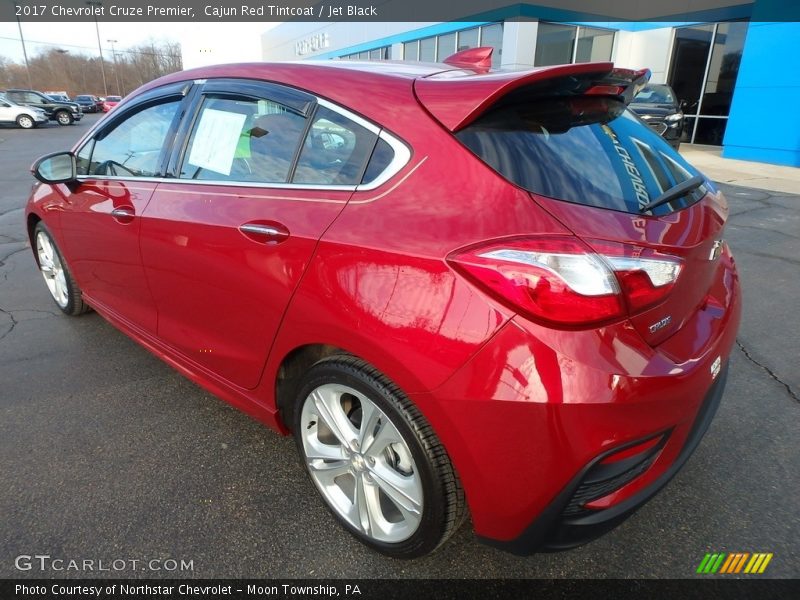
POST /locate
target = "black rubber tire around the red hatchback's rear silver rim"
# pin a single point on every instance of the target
(429, 532)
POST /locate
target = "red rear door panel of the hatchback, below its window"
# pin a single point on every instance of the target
(196, 258)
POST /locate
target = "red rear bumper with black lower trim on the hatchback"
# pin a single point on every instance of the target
(532, 420)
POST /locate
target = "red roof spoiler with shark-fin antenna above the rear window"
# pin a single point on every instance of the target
(456, 100)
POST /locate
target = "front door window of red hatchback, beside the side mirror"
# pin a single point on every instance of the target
(134, 146)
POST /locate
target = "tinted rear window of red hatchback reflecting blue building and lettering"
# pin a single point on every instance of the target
(582, 149)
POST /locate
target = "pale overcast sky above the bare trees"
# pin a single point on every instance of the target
(82, 38)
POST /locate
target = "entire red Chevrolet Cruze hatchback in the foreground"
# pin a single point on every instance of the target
(462, 291)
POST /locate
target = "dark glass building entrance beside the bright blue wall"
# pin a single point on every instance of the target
(705, 63)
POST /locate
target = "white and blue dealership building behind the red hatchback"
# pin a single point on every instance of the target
(734, 66)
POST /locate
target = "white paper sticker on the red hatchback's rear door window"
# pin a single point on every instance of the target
(216, 139)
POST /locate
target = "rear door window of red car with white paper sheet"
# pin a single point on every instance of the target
(243, 139)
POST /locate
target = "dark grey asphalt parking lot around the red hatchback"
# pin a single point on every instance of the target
(107, 453)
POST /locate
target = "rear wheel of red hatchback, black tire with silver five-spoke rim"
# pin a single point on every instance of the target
(392, 486)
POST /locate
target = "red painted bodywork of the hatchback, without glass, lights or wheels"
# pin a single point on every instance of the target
(520, 408)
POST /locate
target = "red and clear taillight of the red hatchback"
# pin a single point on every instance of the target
(561, 281)
